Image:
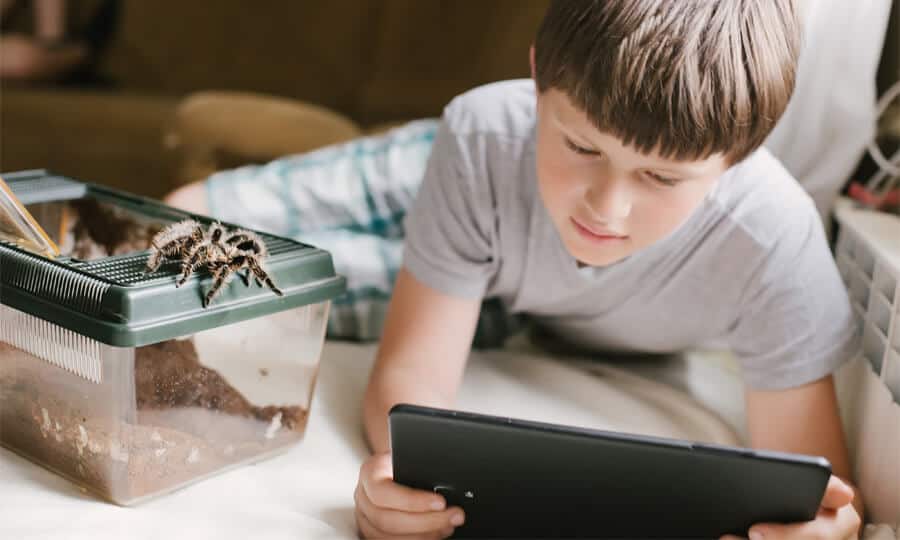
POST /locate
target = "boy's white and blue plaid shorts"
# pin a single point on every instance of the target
(349, 199)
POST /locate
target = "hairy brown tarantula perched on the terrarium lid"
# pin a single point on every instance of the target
(223, 252)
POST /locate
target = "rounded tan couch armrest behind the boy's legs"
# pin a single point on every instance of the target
(211, 131)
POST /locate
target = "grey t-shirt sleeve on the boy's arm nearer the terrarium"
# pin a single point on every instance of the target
(450, 229)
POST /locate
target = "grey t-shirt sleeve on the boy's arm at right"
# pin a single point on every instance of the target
(796, 323)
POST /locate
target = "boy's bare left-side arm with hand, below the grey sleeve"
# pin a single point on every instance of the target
(423, 351)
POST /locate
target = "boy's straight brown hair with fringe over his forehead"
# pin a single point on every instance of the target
(685, 78)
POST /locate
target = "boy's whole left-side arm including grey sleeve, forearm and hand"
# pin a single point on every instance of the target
(427, 334)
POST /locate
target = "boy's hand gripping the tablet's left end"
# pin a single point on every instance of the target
(385, 509)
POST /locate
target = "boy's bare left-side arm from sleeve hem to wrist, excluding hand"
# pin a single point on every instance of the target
(422, 356)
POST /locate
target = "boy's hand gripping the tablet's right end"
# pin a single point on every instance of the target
(837, 519)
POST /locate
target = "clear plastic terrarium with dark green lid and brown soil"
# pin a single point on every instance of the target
(129, 386)
